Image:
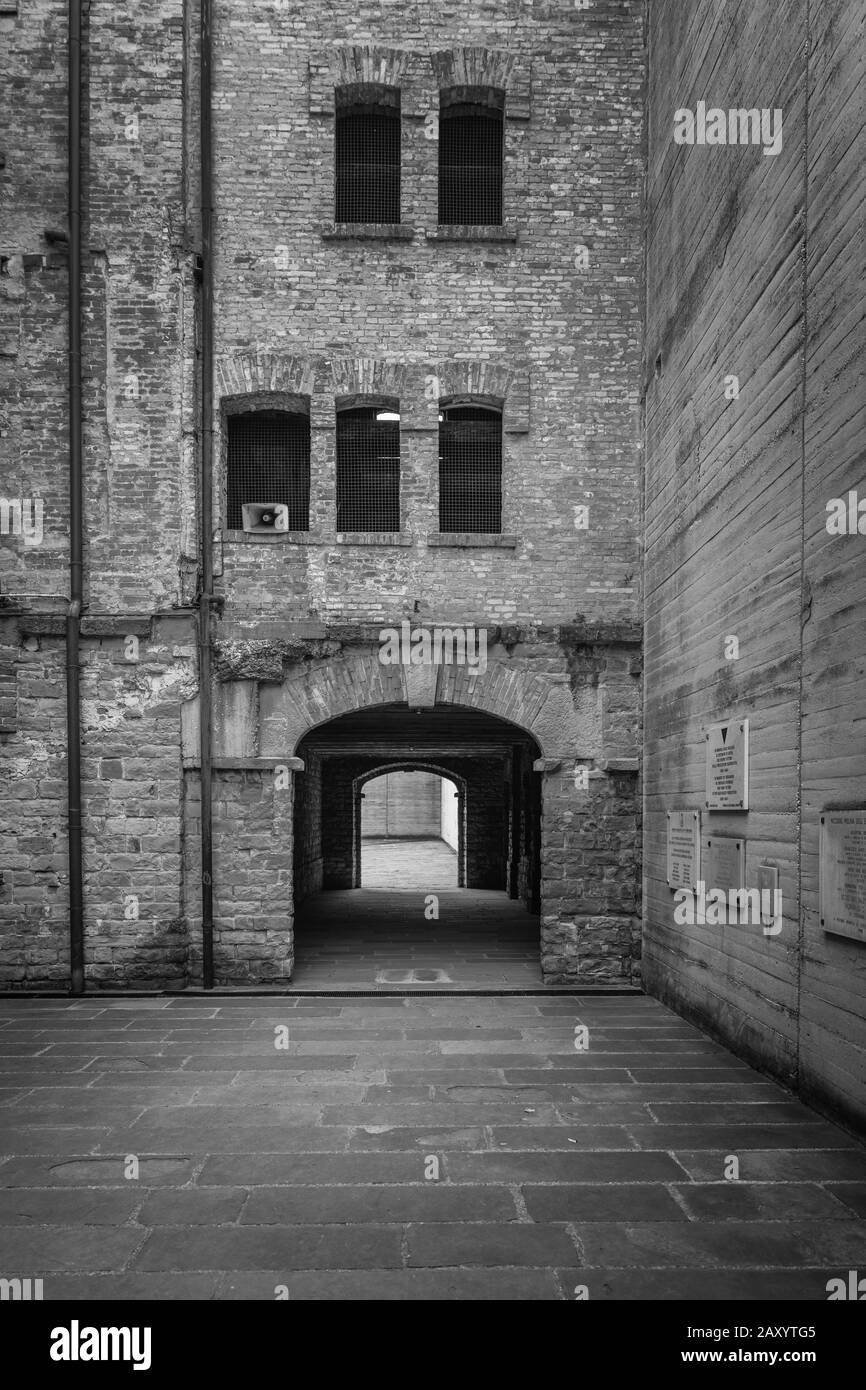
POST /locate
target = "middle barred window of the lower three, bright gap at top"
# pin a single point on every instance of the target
(369, 468)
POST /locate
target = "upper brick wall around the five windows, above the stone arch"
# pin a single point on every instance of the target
(571, 338)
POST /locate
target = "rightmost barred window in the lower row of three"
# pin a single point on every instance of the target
(471, 468)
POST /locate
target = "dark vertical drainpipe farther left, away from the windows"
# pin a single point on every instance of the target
(77, 928)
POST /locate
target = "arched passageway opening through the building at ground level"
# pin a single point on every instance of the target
(393, 779)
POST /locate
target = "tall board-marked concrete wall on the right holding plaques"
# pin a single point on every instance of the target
(751, 265)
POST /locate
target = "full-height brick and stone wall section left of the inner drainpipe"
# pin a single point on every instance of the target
(140, 509)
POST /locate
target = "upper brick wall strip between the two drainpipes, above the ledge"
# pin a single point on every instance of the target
(140, 295)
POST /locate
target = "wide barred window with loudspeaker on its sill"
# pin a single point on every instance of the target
(269, 462)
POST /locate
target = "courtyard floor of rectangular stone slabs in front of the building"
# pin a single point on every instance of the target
(401, 1149)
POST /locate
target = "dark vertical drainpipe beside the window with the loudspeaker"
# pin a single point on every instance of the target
(206, 498)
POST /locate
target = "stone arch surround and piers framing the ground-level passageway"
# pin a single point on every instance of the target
(276, 694)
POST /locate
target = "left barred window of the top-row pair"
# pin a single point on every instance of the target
(368, 155)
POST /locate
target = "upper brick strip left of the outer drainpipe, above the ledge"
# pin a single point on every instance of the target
(34, 291)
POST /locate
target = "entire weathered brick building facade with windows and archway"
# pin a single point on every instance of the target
(533, 316)
